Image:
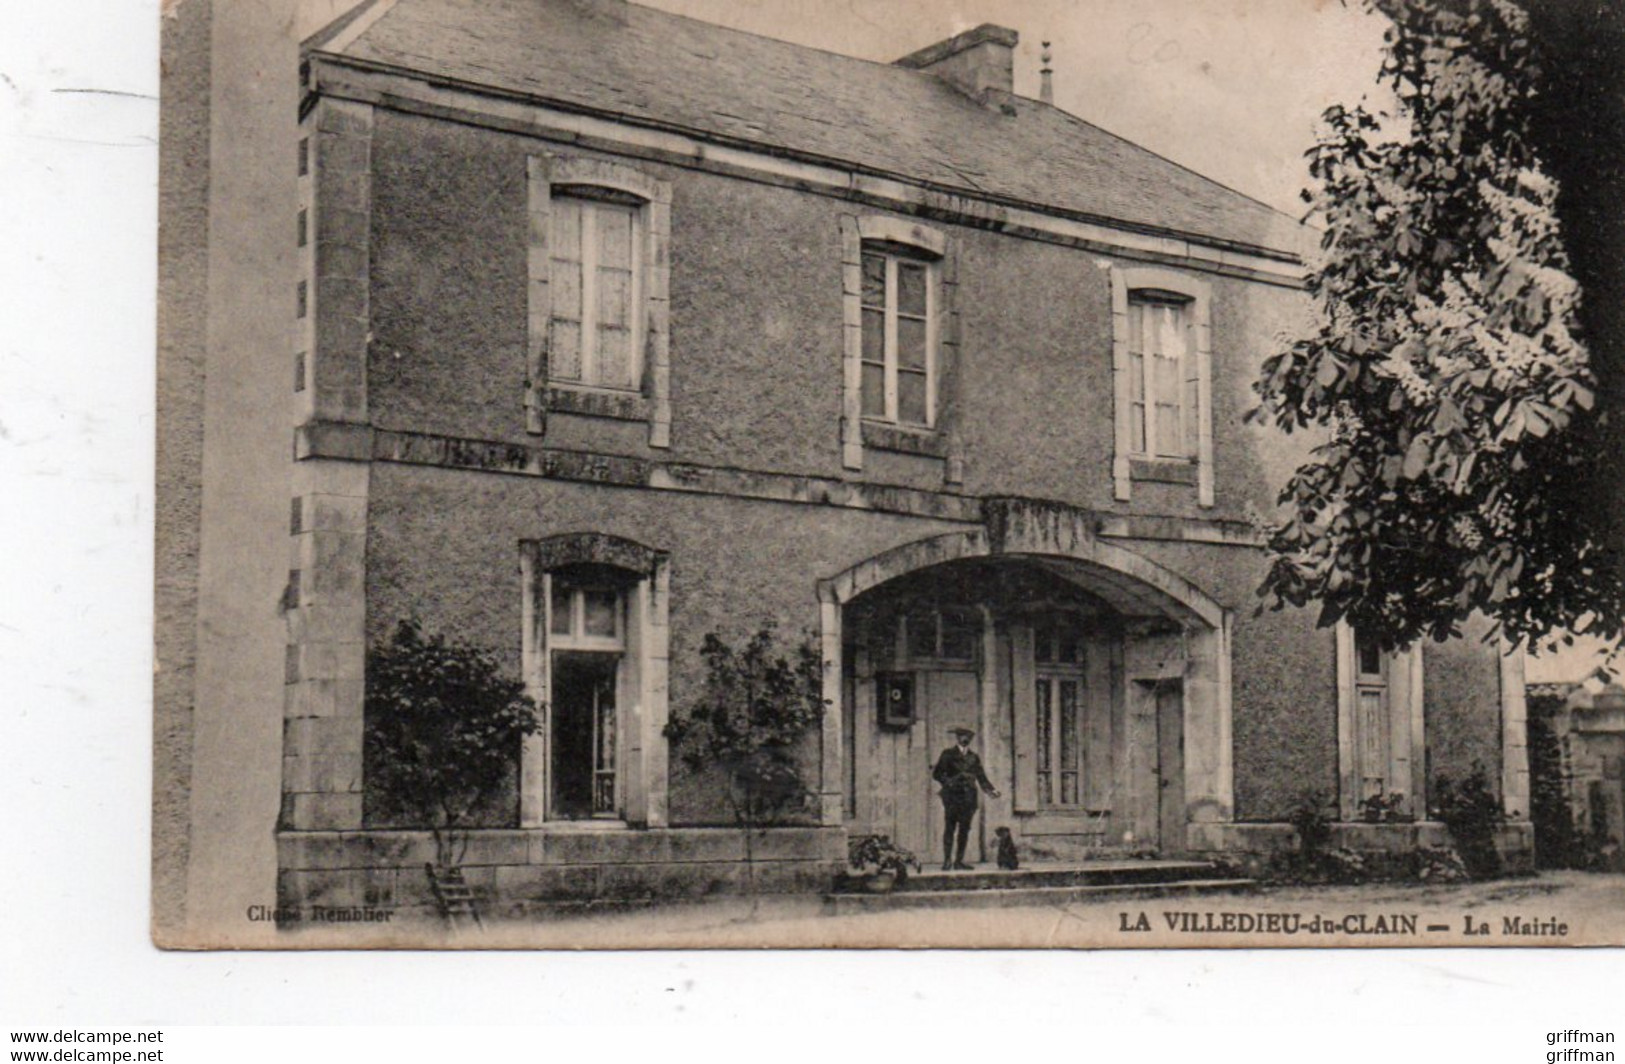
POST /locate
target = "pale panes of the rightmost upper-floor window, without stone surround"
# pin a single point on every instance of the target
(1159, 420)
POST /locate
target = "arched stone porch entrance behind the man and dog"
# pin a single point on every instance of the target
(1098, 683)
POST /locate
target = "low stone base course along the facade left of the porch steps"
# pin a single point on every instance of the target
(516, 870)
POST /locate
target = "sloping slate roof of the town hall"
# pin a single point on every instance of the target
(623, 59)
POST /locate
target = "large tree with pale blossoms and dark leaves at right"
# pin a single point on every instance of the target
(1445, 368)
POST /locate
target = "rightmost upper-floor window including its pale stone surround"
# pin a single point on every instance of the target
(1163, 370)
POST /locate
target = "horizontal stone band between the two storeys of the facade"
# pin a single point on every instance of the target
(357, 443)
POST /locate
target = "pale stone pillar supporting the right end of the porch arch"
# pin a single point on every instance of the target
(1210, 772)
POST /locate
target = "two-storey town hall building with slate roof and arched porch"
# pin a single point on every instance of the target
(615, 329)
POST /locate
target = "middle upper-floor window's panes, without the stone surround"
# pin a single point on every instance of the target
(899, 337)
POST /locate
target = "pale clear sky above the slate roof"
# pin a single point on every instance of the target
(1229, 89)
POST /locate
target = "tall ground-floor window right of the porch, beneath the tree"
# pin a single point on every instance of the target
(1380, 729)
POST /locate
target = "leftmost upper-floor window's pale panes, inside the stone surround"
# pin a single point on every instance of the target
(597, 264)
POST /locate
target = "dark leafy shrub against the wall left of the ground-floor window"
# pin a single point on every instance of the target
(444, 732)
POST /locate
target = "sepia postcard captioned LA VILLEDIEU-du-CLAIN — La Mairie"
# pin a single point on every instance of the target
(774, 475)
